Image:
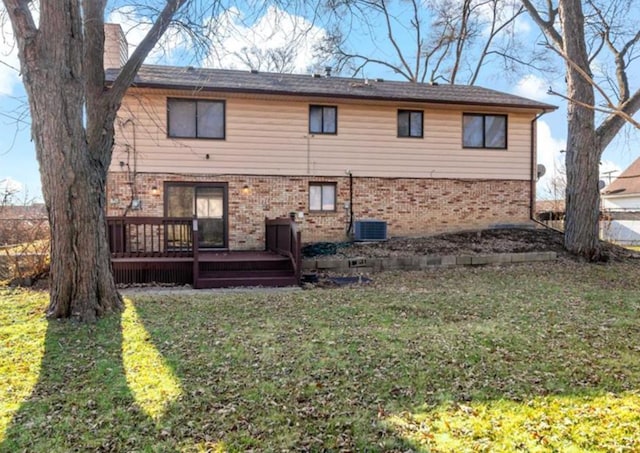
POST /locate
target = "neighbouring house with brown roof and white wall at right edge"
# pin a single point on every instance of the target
(621, 207)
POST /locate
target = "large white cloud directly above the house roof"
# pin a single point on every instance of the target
(277, 41)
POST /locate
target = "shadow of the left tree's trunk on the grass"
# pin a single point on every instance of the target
(82, 400)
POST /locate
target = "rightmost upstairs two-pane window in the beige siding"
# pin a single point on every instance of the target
(484, 131)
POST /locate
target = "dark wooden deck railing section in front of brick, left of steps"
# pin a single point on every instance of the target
(131, 237)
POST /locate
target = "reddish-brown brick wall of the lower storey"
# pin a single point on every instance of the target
(412, 207)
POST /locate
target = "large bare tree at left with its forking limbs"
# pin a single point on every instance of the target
(61, 61)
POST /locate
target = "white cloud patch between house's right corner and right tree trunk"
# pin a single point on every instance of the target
(550, 156)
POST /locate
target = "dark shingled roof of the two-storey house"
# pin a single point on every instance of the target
(189, 78)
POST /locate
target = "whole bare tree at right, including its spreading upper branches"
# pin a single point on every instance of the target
(591, 37)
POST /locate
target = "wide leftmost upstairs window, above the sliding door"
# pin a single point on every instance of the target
(190, 118)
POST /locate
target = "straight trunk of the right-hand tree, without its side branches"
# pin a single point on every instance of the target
(583, 147)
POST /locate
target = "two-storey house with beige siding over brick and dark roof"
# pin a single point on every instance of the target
(235, 147)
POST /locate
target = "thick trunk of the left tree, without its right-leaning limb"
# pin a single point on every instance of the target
(73, 180)
